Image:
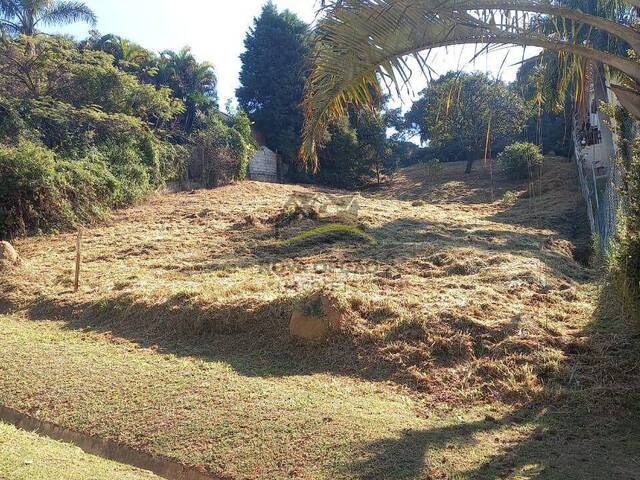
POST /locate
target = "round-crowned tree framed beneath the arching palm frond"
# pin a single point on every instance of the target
(468, 114)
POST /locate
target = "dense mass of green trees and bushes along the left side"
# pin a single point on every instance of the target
(83, 131)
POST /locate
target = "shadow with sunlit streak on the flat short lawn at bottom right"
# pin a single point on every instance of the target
(534, 443)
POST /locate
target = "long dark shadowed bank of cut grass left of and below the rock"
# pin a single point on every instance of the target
(251, 337)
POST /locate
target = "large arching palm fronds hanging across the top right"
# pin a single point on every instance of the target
(360, 42)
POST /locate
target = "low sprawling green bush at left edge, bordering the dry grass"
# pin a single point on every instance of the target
(40, 191)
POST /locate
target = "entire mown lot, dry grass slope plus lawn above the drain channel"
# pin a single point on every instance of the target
(476, 342)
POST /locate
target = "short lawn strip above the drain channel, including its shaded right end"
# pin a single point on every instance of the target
(236, 419)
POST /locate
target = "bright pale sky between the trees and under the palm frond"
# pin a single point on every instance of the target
(215, 31)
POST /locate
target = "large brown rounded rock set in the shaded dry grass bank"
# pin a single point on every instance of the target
(316, 318)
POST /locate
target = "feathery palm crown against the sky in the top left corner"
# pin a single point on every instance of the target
(23, 16)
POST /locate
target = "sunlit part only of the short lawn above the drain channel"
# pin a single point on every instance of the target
(239, 424)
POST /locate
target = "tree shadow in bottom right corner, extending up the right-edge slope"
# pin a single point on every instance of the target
(589, 429)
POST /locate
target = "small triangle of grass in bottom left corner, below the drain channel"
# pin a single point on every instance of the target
(27, 456)
